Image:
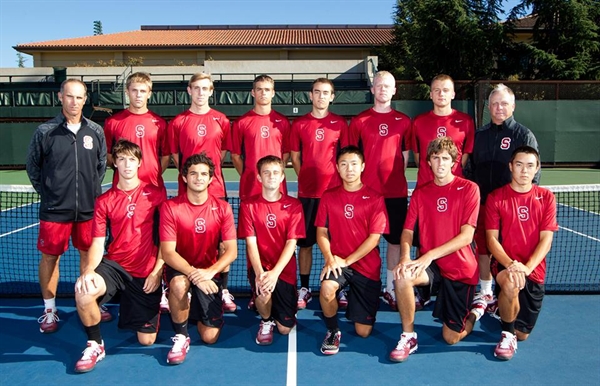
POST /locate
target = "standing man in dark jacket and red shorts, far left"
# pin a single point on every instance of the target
(66, 164)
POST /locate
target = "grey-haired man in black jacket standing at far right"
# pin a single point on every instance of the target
(488, 167)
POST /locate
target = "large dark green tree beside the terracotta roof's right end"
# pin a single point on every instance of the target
(457, 37)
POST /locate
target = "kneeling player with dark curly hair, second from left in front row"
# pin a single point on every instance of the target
(191, 227)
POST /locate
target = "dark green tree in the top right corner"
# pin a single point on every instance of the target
(565, 42)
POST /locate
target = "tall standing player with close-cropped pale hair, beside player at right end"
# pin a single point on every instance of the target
(383, 134)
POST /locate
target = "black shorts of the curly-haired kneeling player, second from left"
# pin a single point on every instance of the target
(206, 309)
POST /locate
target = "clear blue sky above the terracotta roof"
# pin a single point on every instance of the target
(28, 21)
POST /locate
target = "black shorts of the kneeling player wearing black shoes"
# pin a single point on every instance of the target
(363, 297)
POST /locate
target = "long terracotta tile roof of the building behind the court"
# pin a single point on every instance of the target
(228, 37)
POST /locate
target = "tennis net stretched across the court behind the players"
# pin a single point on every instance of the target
(573, 263)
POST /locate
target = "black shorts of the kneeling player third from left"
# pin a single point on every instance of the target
(284, 301)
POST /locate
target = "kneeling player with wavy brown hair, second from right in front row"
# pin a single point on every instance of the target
(445, 210)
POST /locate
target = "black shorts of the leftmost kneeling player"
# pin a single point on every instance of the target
(138, 310)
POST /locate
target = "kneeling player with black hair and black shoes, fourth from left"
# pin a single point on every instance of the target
(350, 220)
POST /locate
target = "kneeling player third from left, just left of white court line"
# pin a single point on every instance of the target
(271, 223)
